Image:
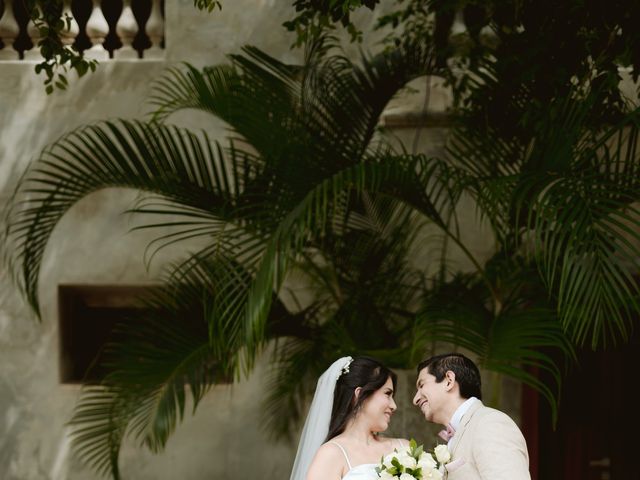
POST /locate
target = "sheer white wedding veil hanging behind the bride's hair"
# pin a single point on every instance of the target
(316, 426)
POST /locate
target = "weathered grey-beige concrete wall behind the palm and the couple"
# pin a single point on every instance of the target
(91, 245)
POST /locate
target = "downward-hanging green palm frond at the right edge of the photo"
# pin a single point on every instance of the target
(590, 256)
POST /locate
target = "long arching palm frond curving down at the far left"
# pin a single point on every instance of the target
(181, 166)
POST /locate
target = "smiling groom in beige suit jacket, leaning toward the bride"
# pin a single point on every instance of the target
(485, 444)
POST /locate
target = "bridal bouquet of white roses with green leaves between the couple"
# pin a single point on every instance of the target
(413, 463)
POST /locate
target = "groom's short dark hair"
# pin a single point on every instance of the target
(467, 373)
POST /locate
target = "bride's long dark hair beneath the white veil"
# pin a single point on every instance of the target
(364, 372)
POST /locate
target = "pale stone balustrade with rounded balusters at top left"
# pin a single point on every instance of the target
(100, 29)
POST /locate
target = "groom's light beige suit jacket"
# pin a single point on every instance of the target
(491, 446)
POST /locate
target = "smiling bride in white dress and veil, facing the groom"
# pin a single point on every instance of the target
(353, 403)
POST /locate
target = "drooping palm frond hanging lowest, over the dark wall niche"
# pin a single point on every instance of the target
(153, 359)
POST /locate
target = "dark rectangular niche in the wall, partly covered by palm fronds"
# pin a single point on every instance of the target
(87, 315)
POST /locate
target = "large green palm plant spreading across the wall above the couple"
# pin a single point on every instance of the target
(306, 186)
